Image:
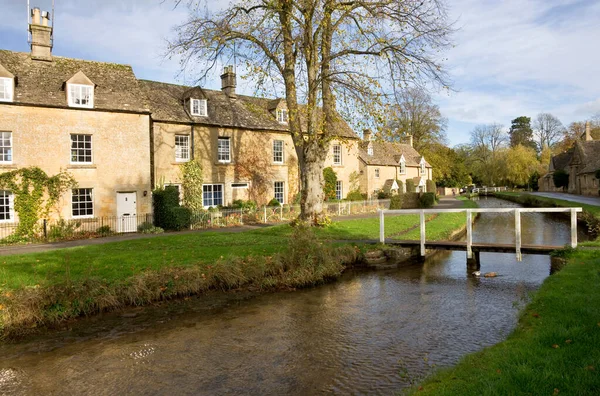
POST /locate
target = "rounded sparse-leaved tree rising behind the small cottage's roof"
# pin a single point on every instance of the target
(418, 116)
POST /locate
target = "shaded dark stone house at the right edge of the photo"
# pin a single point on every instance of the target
(581, 163)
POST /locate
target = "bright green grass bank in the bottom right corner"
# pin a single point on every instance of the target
(555, 348)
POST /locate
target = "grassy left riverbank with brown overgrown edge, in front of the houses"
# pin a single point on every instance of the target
(45, 289)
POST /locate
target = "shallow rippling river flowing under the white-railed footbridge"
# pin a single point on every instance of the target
(369, 333)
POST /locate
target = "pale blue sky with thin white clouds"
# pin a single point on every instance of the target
(510, 58)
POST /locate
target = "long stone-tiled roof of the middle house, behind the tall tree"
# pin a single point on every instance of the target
(167, 103)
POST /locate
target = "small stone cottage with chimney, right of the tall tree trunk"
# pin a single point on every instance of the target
(382, 163)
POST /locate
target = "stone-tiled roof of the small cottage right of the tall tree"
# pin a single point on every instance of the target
(388, 154)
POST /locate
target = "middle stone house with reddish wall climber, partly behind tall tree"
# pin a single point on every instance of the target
(240, 140)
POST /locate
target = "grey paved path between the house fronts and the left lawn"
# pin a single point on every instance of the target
(445, 203)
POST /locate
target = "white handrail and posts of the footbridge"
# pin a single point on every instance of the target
(469, 218)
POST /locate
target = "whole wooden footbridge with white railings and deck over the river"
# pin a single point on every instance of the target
(473, 249)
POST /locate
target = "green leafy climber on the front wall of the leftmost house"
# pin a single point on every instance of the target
(36, 194)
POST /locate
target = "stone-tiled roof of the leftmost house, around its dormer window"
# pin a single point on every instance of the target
(42, 83)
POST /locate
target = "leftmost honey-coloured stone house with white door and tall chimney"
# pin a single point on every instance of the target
(86, 117)
